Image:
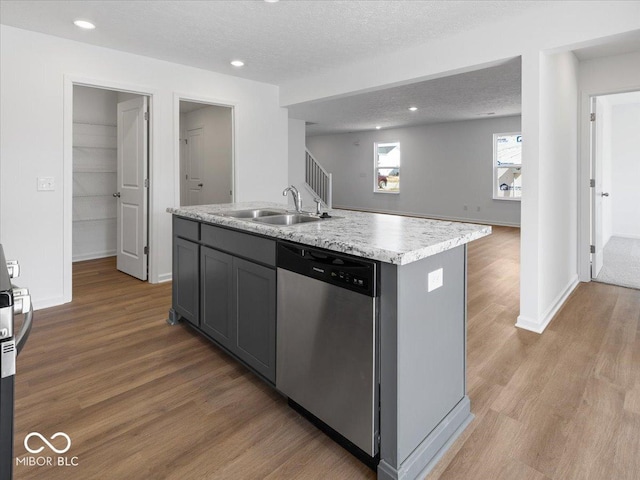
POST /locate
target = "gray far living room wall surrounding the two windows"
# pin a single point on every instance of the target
(444, 167)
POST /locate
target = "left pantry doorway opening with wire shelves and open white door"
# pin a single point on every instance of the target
(110, 197)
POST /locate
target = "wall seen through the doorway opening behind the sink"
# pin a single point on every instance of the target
(216, 122)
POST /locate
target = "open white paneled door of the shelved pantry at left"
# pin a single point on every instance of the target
(132, 190)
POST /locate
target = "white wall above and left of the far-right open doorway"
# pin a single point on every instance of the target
(599, 76)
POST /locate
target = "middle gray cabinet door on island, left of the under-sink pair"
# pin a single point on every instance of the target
(217, 295)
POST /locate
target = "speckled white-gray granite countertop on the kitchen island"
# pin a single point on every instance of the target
(388, 238)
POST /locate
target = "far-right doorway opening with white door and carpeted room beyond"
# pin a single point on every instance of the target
(615, 196)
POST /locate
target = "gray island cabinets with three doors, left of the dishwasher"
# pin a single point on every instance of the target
(224, 283)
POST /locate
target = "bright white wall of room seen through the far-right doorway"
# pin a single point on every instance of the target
(625, 191)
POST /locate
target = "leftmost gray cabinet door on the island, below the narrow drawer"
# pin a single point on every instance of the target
(186, 276)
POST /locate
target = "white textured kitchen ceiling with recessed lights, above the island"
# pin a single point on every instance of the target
(278, 41)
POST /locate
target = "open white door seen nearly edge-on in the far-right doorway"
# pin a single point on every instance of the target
(597, 258)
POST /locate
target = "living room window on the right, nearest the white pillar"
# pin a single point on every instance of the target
(507, 166)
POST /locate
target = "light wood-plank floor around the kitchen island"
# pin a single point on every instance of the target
(143, 400)
